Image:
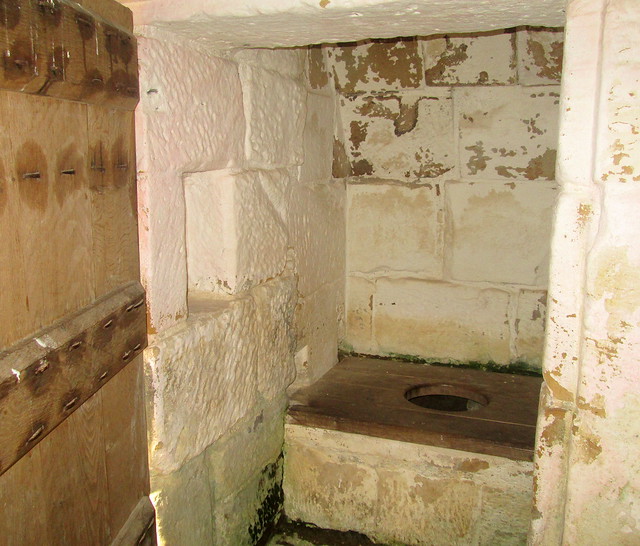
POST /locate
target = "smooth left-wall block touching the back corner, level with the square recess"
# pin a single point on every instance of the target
(317, 234)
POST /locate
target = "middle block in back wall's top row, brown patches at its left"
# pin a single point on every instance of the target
(486, 58)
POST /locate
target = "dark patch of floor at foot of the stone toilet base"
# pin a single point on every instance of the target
(288, 533)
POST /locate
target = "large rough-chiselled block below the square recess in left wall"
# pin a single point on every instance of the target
(202, 378)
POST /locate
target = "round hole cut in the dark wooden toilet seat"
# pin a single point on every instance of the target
(444, 397)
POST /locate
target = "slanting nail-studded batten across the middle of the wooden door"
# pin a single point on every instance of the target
(45, 379)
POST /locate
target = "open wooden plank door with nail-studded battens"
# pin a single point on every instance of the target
(73, 462)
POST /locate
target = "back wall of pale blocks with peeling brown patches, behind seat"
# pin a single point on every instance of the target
(448, 146)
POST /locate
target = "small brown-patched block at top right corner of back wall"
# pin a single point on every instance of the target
(540, 55)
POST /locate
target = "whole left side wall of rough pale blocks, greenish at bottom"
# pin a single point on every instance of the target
(242, 249)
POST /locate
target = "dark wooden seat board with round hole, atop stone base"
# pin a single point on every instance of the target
(365, 396)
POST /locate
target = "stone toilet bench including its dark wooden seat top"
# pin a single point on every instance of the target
(361, 457)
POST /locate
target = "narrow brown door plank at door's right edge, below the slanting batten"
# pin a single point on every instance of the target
(125, 443)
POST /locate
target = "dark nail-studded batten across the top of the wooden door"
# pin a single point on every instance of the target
(60, 49)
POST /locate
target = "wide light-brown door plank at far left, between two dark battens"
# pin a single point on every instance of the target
(51, 213)
